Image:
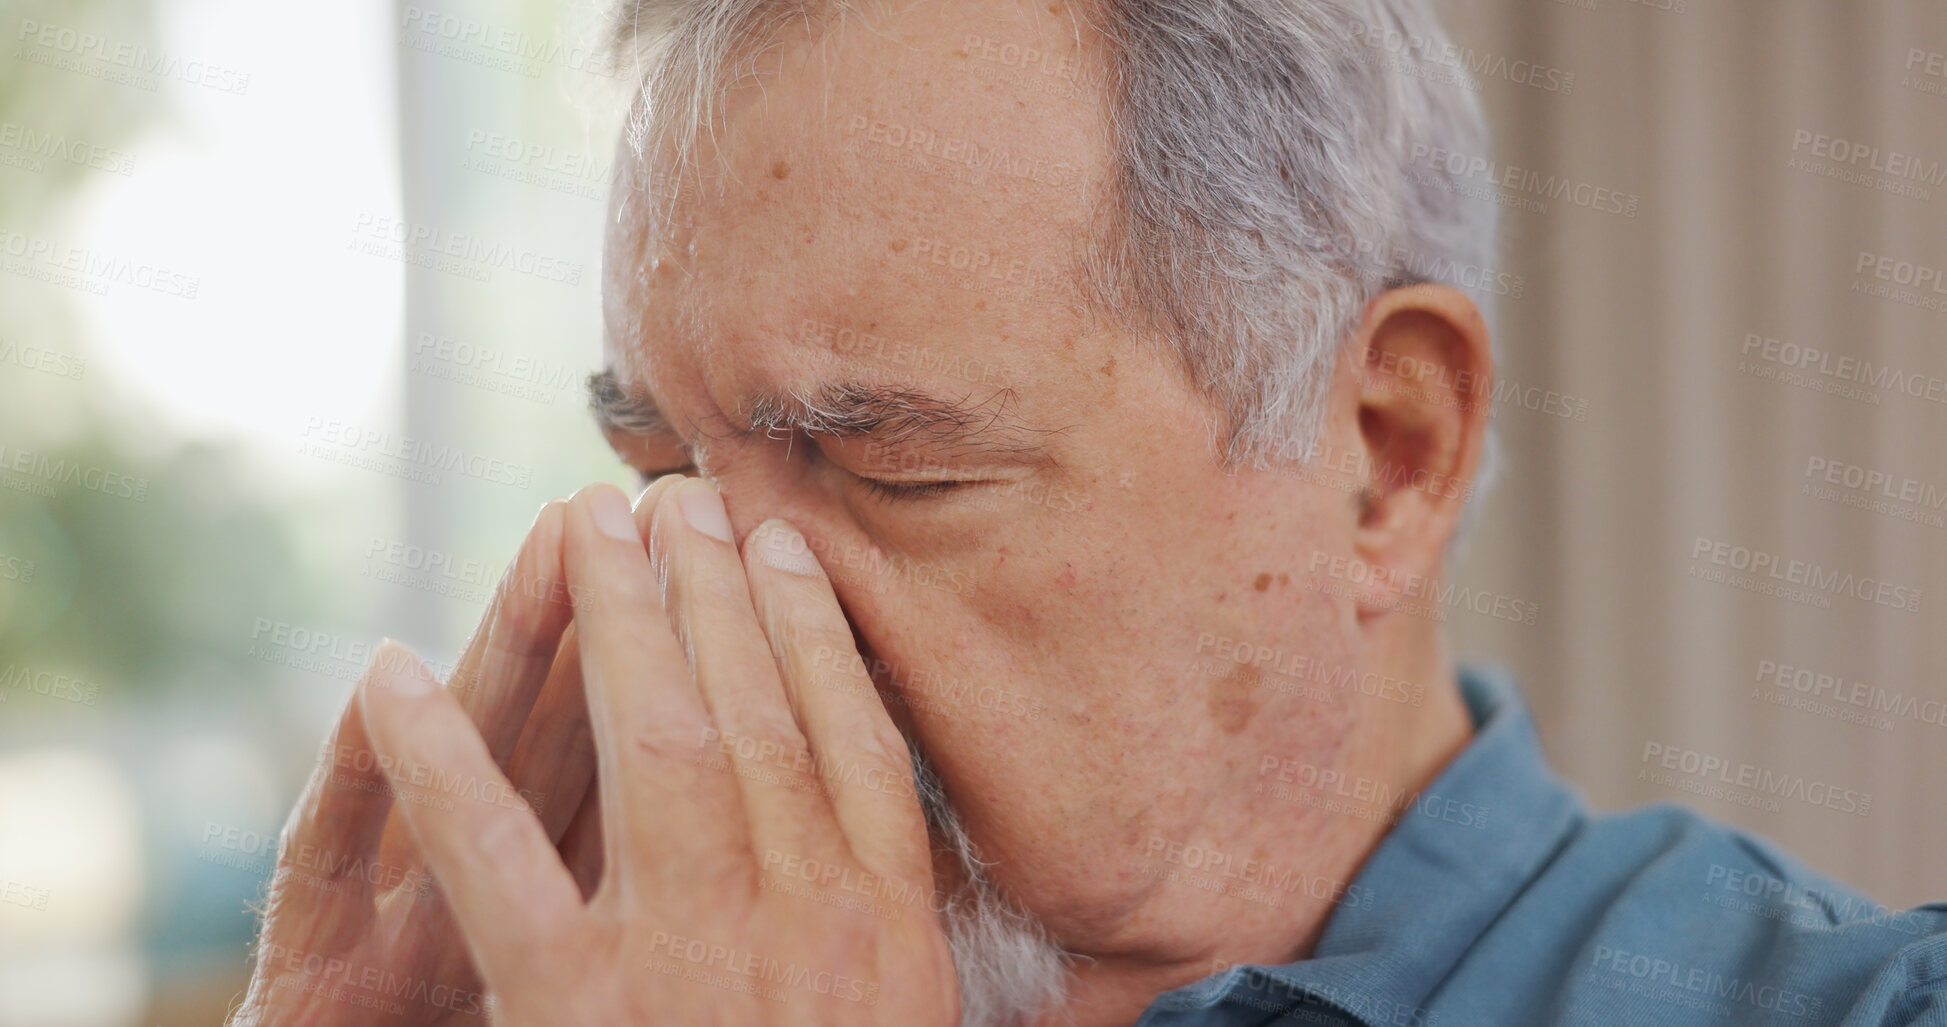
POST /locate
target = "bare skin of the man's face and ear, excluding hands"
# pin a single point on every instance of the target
(1080, 578)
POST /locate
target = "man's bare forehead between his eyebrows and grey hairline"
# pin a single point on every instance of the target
(900, 188)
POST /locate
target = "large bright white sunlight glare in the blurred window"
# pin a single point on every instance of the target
(316, 141)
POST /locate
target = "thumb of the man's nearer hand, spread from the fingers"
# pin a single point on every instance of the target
(507, 890)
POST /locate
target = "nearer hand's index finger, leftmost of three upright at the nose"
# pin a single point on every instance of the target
(663, 812)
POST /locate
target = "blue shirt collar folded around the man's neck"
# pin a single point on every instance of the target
(1436, 882)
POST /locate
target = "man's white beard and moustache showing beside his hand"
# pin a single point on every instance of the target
(1010, 970)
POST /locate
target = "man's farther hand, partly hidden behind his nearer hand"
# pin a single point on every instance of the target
(353, 931)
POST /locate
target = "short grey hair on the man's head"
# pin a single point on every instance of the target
(1268, 178)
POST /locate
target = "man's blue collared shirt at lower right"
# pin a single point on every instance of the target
(1500, 899)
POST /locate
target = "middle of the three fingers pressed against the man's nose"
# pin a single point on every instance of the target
(758, 736)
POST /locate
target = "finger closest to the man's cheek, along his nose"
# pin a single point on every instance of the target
(860, 753)
